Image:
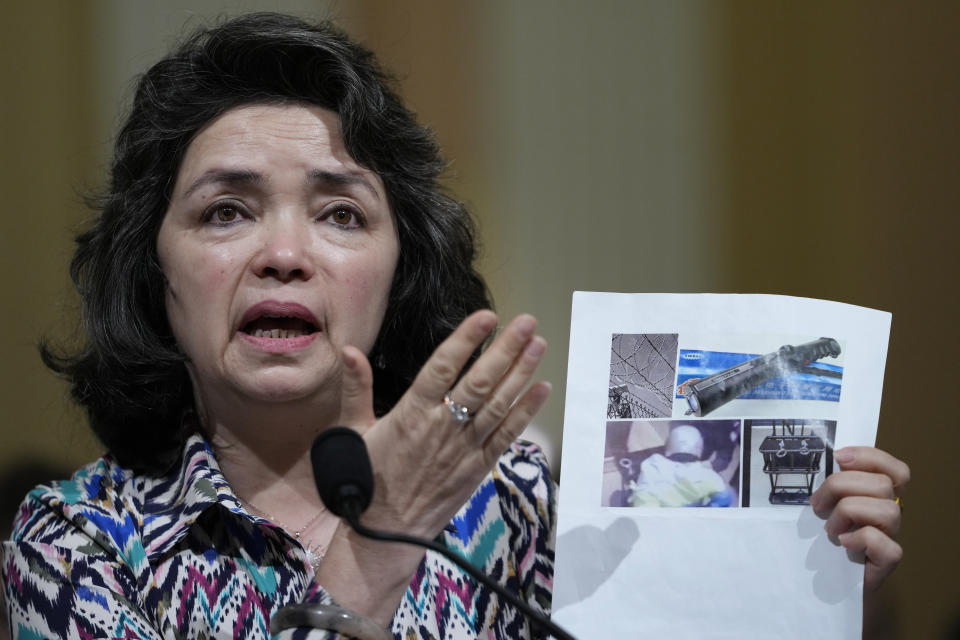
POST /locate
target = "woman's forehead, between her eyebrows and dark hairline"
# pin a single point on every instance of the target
(261, 135)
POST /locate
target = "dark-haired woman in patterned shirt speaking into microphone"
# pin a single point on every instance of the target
(272, 228)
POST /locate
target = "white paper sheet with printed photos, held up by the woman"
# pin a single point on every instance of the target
(758, 571)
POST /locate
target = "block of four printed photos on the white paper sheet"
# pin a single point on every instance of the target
(720, 420)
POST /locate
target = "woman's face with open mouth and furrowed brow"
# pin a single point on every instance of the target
(278, 250)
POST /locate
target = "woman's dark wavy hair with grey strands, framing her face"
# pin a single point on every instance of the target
(130, 374)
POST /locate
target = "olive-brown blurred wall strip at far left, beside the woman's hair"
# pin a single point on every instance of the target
(45, 163)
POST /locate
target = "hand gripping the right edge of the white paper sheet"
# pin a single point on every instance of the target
(861, 507)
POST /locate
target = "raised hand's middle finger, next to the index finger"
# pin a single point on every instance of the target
(486, 374)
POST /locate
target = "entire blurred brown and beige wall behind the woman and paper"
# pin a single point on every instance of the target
(807, 149)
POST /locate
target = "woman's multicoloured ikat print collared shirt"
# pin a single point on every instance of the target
(112, 554)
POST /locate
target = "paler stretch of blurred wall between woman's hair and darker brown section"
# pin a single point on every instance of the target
(581, 139)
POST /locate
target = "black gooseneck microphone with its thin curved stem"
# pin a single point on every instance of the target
(344, 477)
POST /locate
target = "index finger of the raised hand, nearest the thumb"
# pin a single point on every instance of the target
(442, 369)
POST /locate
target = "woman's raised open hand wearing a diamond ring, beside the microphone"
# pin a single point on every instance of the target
(426, 461)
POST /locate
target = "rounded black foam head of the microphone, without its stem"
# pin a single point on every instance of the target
(341, 469)
